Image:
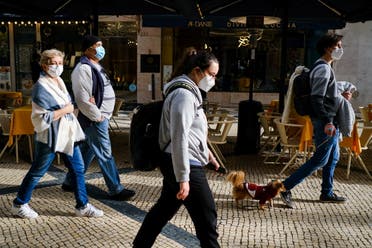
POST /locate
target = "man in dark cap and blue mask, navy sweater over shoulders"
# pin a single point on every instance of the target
(95, 99)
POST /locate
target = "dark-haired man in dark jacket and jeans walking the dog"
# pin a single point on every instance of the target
(326, 134)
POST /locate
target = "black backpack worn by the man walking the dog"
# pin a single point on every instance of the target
(302, 91)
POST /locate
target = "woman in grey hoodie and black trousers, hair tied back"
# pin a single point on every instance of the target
(183, 136)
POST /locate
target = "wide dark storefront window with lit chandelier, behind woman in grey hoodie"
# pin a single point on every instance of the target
(240, 65)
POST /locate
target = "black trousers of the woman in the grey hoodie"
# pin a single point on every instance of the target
(199, 204)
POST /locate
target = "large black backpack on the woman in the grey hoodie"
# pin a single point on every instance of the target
(145, 151)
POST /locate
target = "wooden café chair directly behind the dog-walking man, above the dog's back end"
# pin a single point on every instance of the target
(290, 137)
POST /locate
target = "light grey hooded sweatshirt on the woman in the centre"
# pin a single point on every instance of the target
(183, 122)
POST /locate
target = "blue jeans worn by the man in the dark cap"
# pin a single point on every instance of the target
(98, 144)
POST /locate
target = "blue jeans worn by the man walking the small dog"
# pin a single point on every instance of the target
(326, 156)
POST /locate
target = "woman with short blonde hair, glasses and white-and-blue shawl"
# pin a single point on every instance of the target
(56, 130)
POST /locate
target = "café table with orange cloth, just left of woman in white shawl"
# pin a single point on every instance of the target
(21, 125)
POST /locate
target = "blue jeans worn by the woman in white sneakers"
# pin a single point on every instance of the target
(44, 157)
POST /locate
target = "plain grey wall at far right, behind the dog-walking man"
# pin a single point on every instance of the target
(356, 63)
